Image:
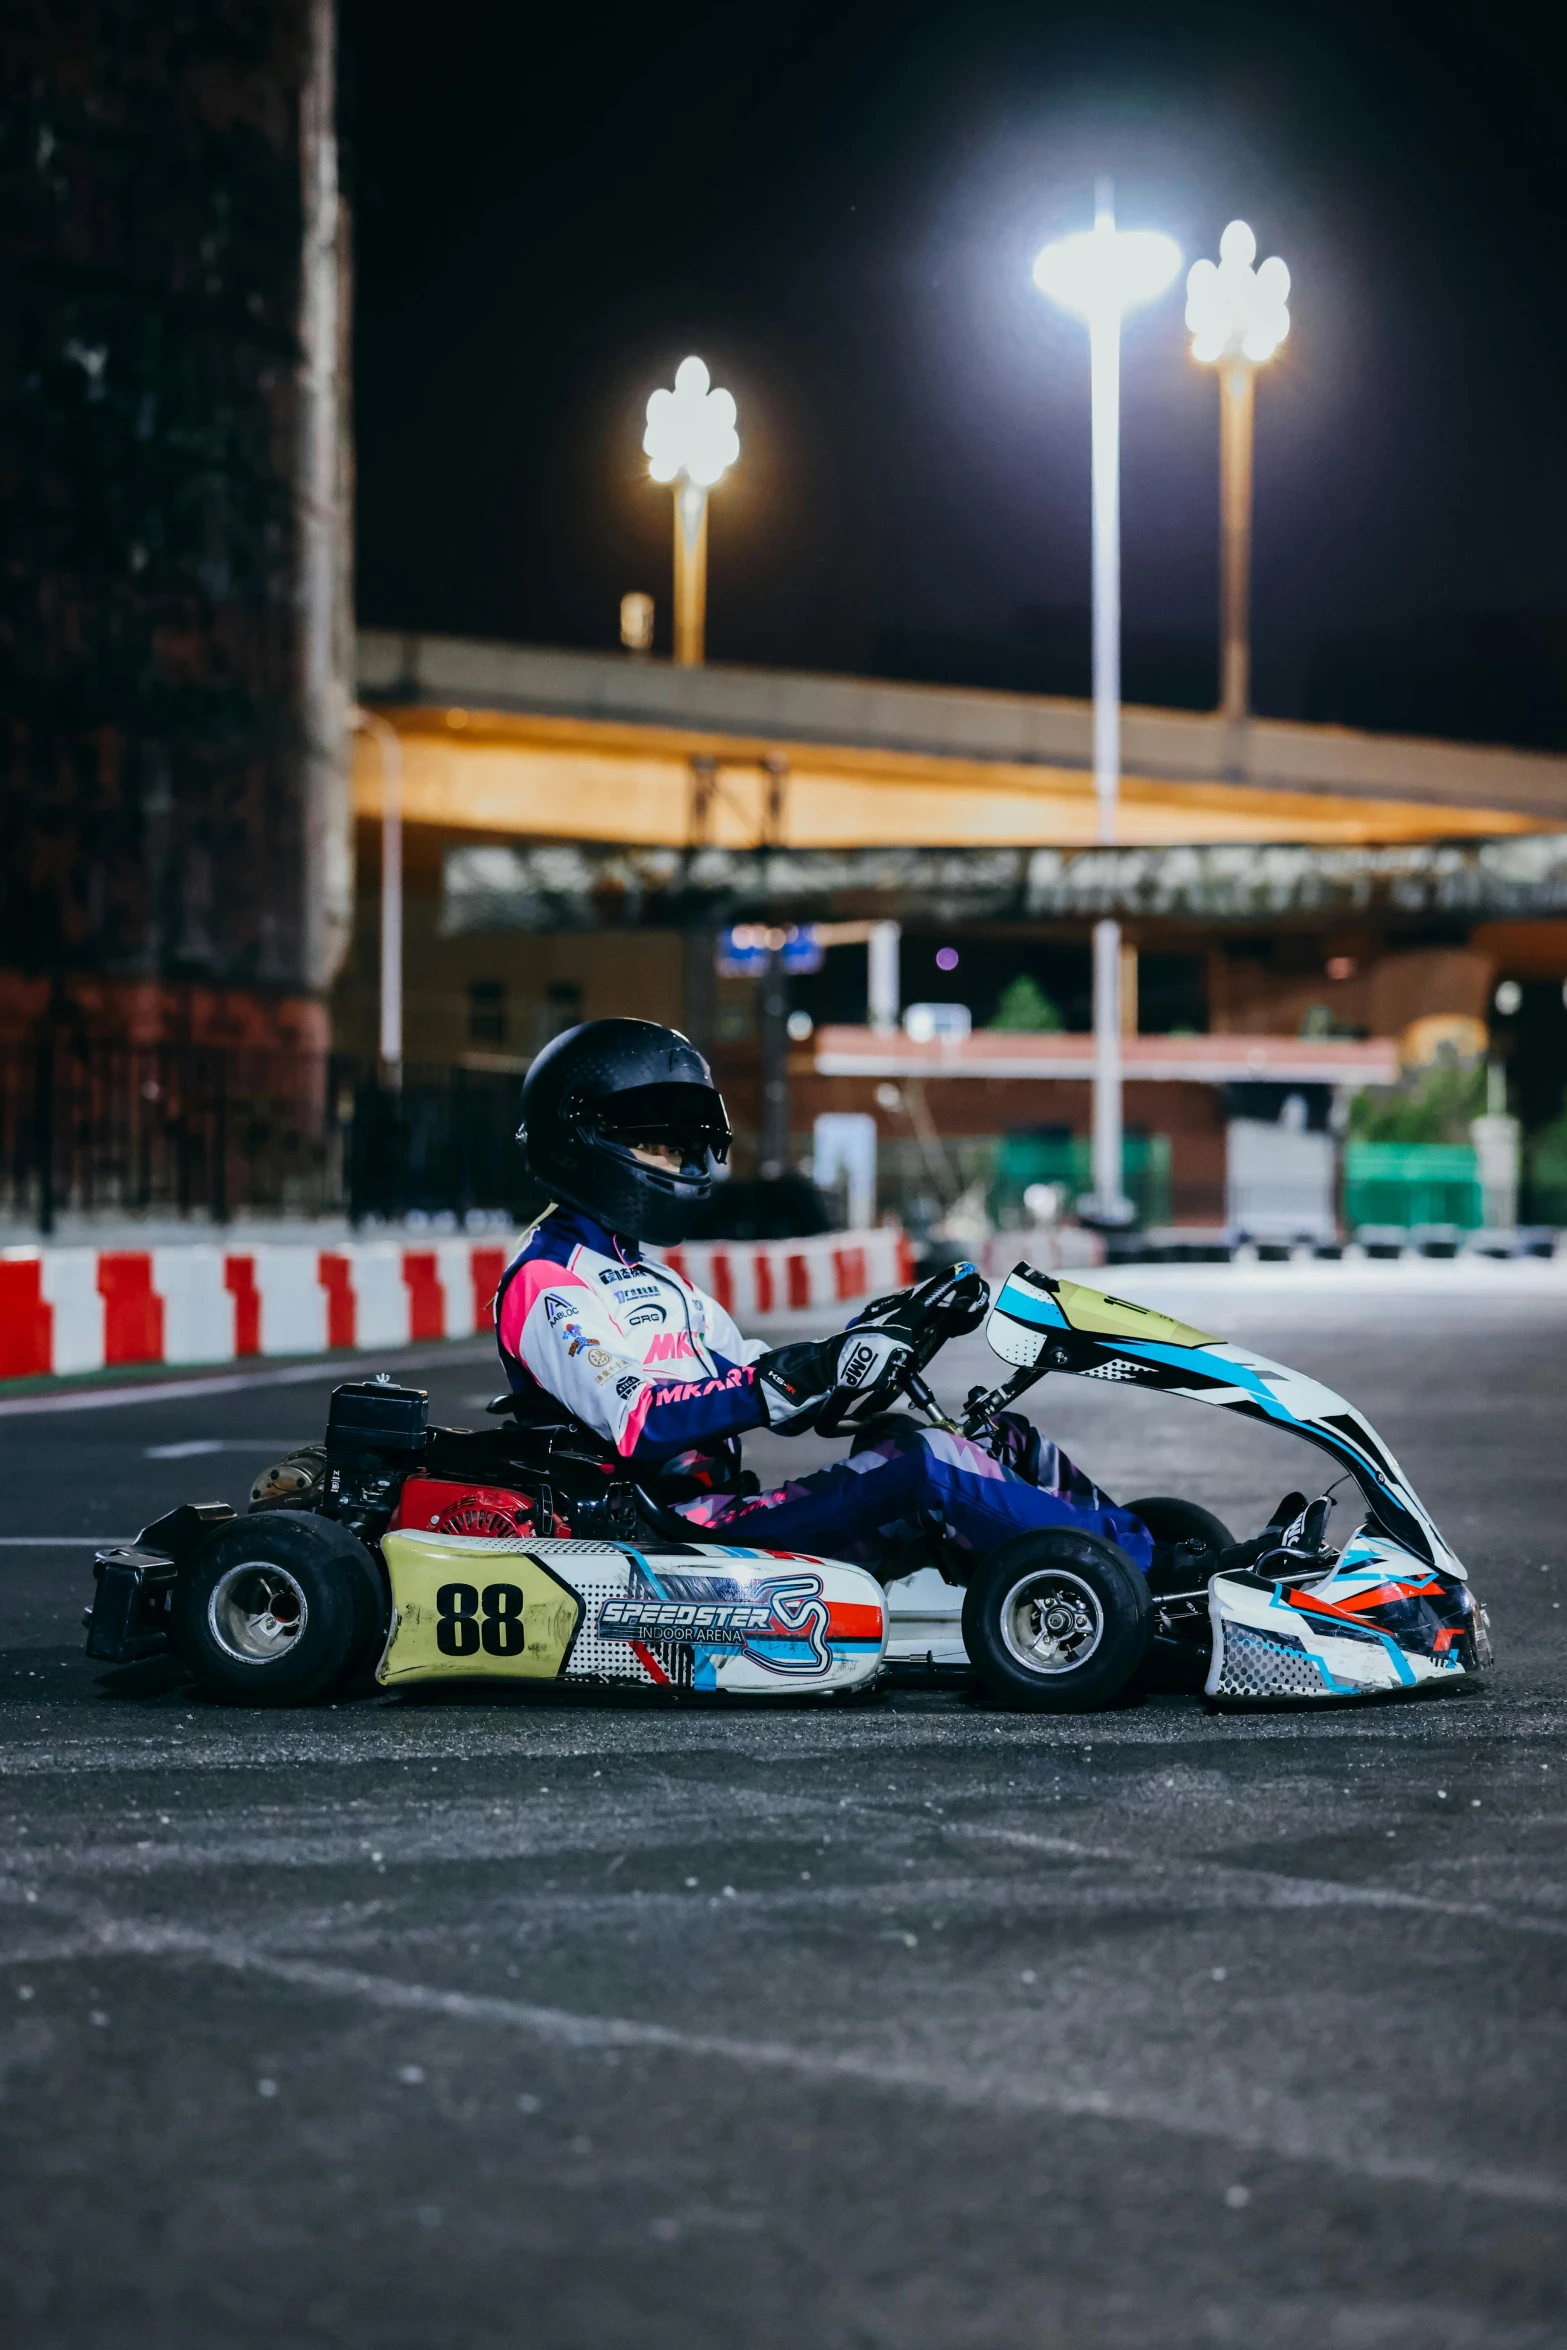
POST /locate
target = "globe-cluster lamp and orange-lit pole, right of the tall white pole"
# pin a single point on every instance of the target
(1239, 316)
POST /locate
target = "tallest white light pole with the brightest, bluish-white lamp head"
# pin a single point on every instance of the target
(1105, 274)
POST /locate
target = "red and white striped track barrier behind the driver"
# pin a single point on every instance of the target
(69, 1310)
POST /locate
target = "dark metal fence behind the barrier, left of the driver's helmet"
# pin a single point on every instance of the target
(189, 1132)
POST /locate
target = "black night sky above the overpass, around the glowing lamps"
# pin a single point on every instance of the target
(838, 208)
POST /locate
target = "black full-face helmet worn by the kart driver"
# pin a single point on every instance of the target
(612, 1085)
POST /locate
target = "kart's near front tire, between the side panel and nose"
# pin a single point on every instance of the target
(1108, 1585)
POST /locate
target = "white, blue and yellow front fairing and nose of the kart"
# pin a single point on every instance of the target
(1392, 1613)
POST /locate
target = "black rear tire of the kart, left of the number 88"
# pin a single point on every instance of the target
(321, 1576)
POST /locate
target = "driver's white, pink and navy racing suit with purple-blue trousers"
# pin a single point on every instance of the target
(659, 1371)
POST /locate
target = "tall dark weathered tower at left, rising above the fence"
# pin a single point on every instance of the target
(177, 593)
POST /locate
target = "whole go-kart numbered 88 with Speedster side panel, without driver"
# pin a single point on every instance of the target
(527, 1552)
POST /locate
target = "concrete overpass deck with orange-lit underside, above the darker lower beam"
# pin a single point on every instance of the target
(527, 744)
